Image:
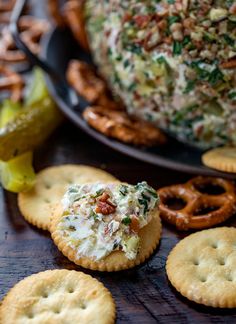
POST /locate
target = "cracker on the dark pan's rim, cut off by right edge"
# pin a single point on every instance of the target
(222, 159)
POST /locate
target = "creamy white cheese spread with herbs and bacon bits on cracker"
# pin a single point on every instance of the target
(100, 218)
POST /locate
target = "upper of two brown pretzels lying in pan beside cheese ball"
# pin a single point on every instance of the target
(82, 77)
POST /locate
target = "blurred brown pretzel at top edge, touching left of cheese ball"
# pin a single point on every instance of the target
(73, 12)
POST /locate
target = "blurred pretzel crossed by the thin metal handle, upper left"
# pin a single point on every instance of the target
(31, 29)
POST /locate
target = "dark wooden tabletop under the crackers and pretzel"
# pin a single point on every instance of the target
(143, 294)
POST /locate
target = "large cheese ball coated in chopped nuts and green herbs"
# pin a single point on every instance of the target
(172, 62)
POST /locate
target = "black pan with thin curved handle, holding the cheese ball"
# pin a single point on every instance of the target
(59, 47)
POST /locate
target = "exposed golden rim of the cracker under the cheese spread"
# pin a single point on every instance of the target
(116, 260)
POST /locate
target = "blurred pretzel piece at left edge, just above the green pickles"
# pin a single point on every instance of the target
(11, 82)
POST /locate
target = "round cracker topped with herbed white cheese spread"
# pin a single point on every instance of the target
(107, 227)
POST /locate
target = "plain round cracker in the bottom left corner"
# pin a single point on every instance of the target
(58, 296)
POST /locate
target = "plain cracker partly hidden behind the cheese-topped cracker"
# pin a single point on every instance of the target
(37, 204)
